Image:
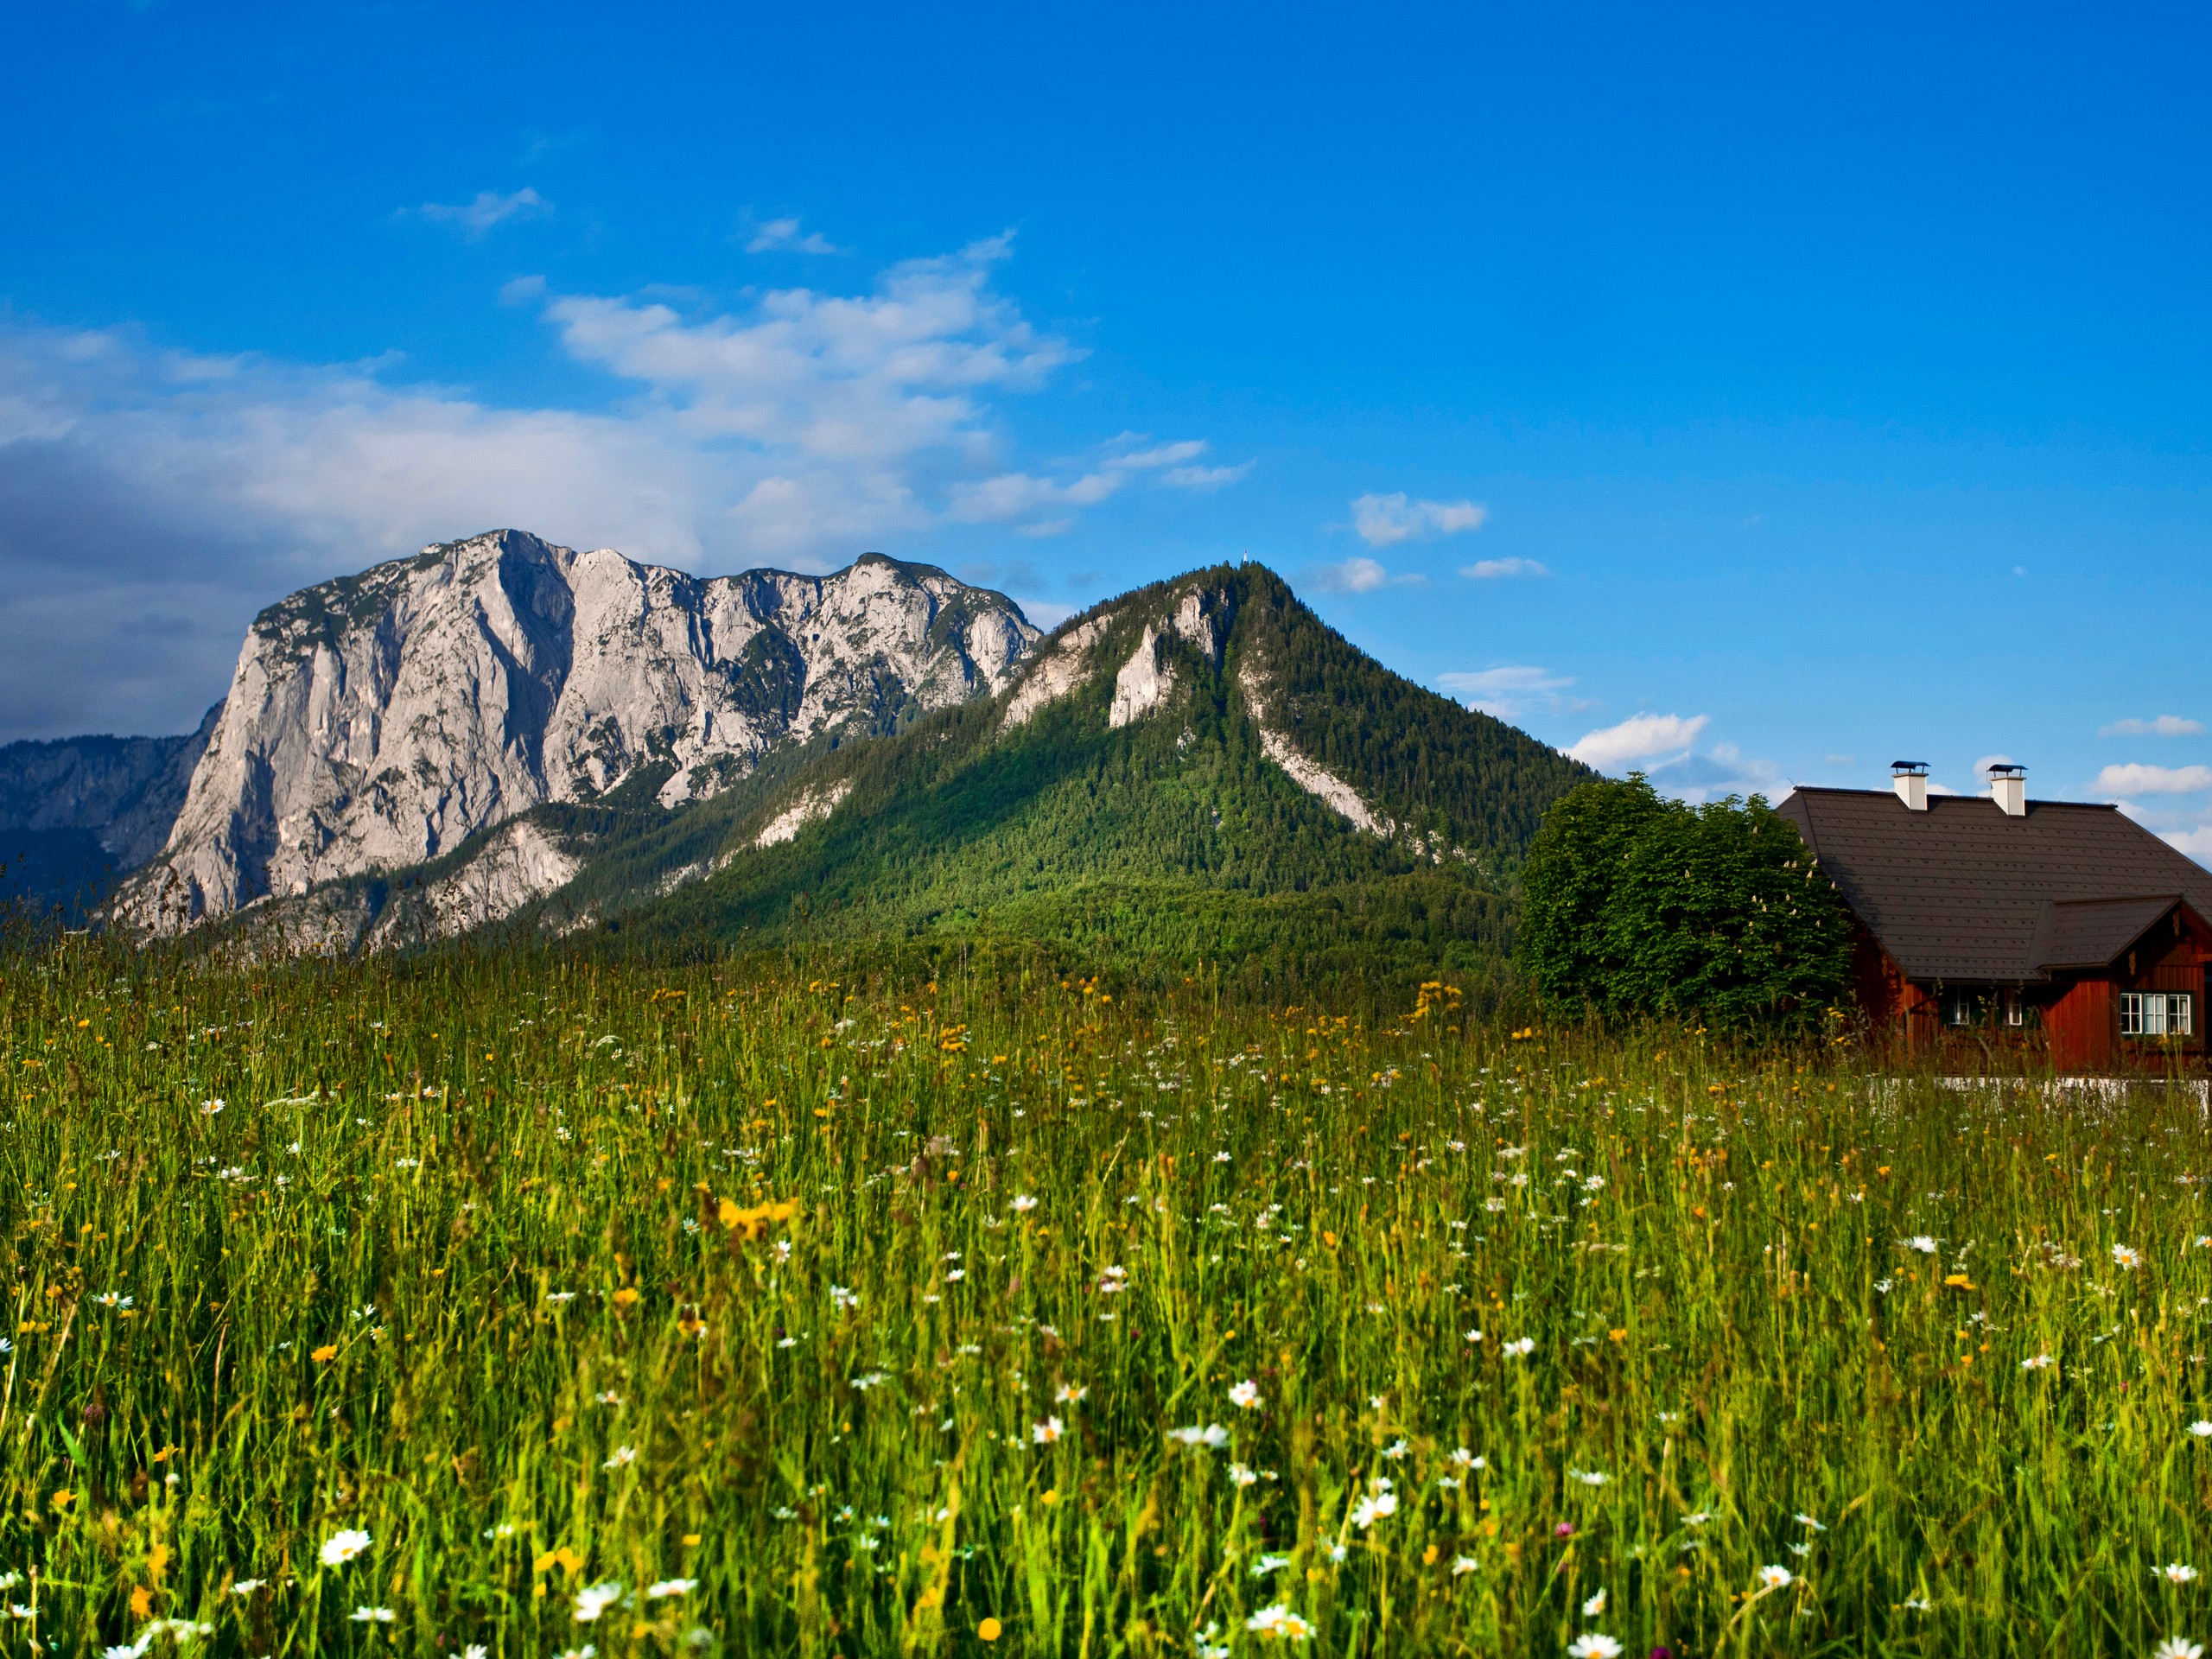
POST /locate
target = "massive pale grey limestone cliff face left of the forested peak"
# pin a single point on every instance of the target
(379, 720)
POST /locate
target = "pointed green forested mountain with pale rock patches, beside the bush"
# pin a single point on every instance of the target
(1196, 769)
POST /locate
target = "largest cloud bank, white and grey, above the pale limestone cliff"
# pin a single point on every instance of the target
(154, 501)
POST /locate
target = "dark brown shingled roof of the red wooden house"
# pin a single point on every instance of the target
(1974, 897)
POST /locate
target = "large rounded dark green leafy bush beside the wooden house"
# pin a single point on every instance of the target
(1642, 906)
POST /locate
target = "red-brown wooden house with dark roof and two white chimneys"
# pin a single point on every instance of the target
(2054, 926)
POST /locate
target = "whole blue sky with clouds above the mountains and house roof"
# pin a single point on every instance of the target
(1751, 397)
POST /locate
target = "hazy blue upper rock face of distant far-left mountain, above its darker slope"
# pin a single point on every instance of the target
(123, 791)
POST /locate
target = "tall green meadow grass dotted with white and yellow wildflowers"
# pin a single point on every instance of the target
(766, 1291)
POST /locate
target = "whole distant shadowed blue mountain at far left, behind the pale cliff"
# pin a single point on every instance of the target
(81, 813)
